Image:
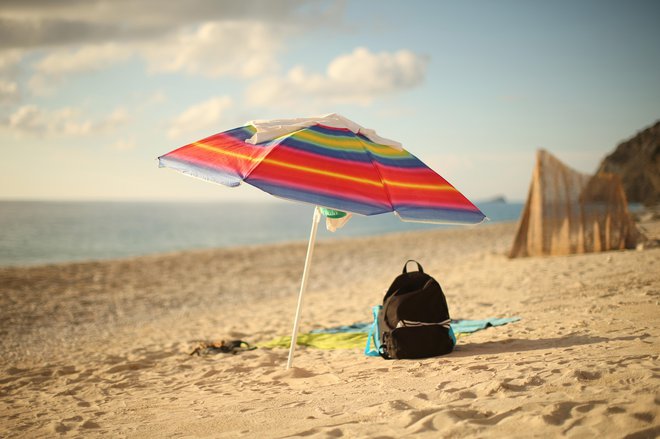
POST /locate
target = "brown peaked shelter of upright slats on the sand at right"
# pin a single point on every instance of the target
(570, 212)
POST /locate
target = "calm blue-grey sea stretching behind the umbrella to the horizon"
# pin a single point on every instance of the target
(33, 233)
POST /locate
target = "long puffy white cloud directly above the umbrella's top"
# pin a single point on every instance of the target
(355, 78)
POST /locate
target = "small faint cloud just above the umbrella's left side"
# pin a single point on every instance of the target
(204, 116)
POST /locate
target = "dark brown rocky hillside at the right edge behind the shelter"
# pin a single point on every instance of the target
(637, 162)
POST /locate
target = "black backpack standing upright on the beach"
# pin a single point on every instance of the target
(414, 320)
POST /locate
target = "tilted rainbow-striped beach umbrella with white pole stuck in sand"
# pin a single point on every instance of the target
(329, 162)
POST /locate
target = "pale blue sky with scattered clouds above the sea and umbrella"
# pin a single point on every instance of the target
(93, 91)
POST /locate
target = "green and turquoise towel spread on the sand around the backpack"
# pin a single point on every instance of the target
(356, 335)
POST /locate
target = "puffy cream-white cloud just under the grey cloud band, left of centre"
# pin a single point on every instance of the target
(242, 49)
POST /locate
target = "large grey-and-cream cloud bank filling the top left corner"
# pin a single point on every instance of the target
(200, 37)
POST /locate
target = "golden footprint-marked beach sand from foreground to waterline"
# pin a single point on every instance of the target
(102, 348)
